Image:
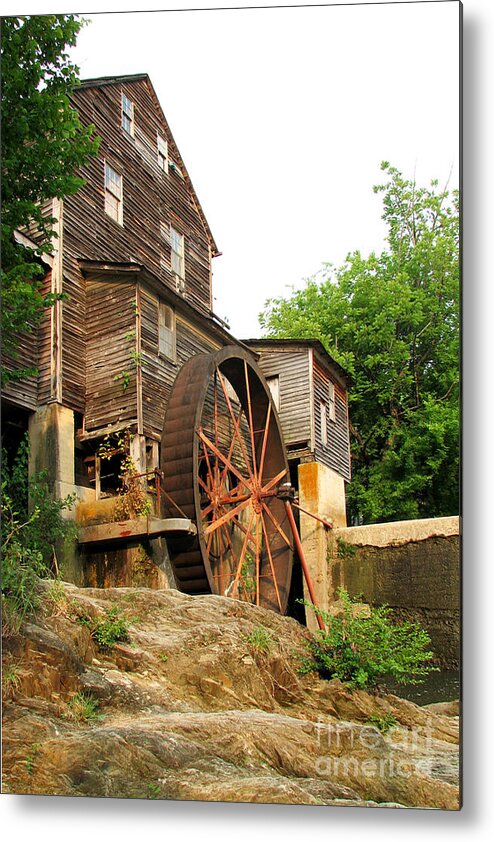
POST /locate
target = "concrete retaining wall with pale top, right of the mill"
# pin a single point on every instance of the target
(414, 567)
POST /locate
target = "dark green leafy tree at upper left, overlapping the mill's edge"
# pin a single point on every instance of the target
(43, 144)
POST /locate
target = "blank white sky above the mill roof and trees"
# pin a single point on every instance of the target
(283, 116)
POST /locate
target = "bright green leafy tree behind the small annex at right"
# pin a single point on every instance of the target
(392, 320)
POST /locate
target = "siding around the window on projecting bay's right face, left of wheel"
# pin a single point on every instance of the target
(158, 372)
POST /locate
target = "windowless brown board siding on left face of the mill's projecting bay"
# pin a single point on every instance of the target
(111, 349)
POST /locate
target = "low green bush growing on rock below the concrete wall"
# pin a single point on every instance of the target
(362, 650)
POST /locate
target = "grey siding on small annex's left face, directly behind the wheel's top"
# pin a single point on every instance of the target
(292, 368)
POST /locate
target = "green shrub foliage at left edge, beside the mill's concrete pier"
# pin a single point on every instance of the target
(30, 533)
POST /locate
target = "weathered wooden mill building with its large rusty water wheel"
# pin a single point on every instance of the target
(140, 383)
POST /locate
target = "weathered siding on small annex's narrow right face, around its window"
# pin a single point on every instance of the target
(336, 454)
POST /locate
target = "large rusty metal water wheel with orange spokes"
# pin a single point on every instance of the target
(222, 455)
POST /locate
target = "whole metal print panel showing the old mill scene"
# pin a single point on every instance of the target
(230, 406)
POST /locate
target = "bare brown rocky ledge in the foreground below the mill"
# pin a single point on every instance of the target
(204, 701)
